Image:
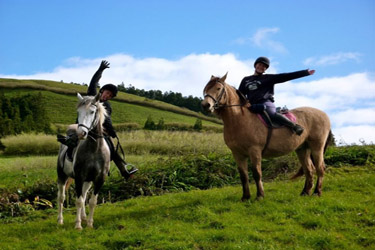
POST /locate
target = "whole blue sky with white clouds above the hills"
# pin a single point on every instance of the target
(176, 46)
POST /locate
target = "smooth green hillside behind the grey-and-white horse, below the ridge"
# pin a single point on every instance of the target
(61, 100)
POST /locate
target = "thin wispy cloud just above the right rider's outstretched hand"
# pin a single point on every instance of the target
(332, 59)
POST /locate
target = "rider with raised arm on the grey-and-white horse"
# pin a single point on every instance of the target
(108, 92)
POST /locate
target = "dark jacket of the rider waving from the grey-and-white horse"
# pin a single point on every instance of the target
(92, 90)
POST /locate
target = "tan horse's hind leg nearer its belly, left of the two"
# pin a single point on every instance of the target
(304, 155)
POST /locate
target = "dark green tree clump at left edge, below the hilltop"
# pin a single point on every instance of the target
(23, 114)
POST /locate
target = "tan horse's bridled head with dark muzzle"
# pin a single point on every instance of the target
(214, 94)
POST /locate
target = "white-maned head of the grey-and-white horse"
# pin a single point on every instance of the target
(90, 113)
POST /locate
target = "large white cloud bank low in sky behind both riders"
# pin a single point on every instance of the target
(348, 100)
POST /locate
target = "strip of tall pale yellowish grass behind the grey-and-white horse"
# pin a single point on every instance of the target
(137, 142)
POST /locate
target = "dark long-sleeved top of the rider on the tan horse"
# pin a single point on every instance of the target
(260, 89)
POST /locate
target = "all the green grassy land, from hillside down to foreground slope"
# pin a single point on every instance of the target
(187, 192)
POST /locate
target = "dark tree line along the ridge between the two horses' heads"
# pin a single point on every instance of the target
(175, 98)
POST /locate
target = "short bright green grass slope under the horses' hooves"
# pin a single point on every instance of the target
(343, 218)
